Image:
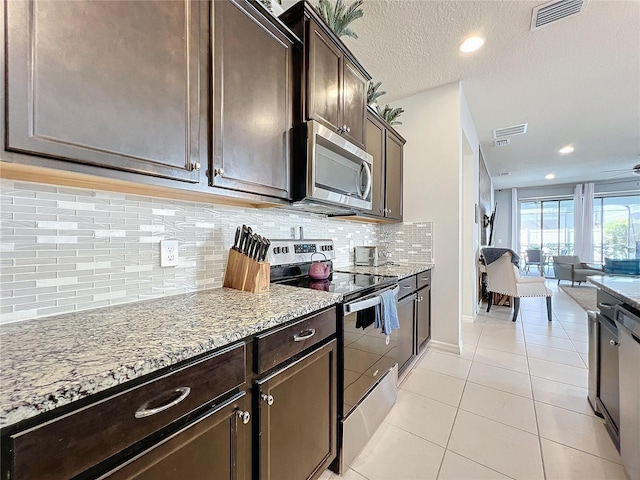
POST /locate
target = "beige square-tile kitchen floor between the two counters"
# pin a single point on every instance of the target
(512, 405)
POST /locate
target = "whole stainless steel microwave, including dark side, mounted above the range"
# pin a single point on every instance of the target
(330, 171)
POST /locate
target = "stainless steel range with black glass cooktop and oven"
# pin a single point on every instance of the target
(367, 362)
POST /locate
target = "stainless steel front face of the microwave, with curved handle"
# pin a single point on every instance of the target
(339, 172)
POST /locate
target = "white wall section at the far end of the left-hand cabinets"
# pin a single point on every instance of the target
(434, 125)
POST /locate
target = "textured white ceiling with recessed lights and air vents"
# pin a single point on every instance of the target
(576, 81)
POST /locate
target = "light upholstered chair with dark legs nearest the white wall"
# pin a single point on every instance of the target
(503, 277)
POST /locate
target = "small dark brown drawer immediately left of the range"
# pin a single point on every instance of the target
(279, 345)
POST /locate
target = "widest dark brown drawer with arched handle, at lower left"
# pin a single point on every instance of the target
(71, 444)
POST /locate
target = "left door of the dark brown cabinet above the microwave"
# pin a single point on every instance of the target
(324, 87)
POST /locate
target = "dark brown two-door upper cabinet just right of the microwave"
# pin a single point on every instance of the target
(386, 147)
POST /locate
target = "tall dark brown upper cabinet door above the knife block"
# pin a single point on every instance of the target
(253, 102)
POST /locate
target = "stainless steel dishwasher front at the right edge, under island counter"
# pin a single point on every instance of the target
(628, 322)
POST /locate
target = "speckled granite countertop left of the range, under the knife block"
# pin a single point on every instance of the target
(50, 362)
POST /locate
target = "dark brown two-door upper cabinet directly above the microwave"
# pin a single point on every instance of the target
(334, 84)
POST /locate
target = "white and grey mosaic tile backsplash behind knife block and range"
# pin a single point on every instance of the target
(67, 249)
